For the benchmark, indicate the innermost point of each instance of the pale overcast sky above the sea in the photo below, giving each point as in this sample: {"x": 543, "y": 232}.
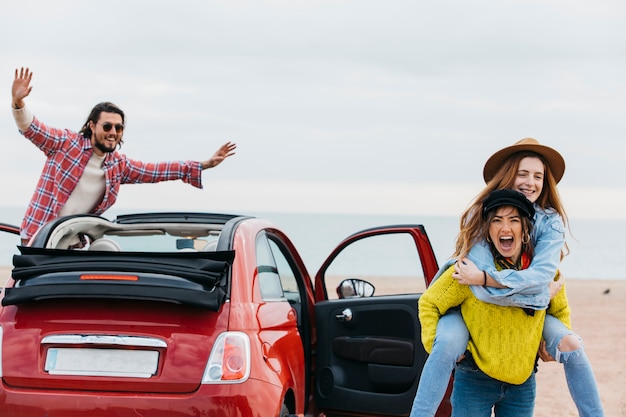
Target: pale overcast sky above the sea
{"x": 336, "y": 106}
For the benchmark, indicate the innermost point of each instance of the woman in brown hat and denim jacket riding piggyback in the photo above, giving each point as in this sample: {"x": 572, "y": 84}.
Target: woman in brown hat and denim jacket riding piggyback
{"x": 535, "y": 170}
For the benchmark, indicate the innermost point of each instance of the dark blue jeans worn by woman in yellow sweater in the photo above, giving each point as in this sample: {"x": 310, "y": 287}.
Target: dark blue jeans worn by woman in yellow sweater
{"x": 476, "y": 394}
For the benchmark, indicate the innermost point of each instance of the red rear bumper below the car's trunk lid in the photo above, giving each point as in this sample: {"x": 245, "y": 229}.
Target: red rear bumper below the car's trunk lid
{"x": 252, "y": 397}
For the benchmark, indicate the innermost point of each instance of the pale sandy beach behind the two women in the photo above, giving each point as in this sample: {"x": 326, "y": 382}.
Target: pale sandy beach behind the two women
{"x": 599, "y": 317}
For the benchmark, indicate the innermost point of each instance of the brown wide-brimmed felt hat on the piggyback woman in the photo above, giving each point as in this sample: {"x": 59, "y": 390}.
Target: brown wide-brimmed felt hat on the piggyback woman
{"x": 554, "y": 159}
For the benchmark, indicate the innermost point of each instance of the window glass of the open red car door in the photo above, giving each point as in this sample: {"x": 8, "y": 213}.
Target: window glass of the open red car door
{"x": 390, "y": 262}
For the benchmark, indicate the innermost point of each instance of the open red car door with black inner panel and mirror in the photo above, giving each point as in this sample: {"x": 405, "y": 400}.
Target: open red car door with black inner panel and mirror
{"x": 369, "y": 352}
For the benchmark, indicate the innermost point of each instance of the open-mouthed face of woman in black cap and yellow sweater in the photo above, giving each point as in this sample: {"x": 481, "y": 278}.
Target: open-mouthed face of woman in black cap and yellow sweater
{"x": 505, "y": 231}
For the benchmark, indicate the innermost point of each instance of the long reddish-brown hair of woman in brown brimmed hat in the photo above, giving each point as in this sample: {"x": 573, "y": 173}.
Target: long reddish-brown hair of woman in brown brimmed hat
{"x": 470, "y": 225}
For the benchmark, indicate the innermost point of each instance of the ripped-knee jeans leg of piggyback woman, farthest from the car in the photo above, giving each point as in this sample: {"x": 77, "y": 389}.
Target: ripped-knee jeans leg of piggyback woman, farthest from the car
{"x": 578, "y": 373}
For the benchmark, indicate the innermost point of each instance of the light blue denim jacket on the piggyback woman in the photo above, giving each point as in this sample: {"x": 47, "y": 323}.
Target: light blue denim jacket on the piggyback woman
{"x": 527, "y": 288}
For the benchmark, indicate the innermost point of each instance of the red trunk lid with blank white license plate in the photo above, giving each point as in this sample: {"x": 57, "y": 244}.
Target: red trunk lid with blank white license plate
{"x": 108, "y": 345}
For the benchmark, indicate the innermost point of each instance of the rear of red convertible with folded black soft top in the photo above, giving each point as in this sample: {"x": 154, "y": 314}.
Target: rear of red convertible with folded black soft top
{"x": 101, "y": 333}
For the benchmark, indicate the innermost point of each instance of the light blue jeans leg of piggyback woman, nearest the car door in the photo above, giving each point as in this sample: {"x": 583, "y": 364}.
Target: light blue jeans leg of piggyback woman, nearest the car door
{"x": 450, "y": 343}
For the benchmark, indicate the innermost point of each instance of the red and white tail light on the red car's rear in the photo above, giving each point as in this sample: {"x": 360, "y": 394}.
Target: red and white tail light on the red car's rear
{"x": 230, "y": 359}
